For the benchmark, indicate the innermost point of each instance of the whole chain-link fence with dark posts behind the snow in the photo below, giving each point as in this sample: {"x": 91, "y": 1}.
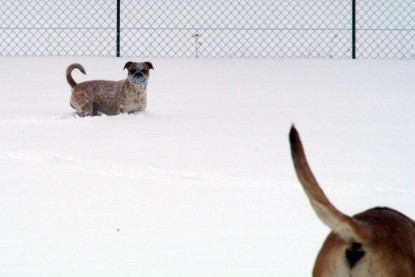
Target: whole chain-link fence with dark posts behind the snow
{"x": 208, "y": 29}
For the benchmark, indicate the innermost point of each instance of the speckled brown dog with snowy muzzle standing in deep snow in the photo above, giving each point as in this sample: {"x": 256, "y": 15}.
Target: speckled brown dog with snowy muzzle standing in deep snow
{"x": 111, "y": 97}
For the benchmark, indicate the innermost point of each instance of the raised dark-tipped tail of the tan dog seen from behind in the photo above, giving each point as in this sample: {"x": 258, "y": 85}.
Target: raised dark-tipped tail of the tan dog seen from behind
{"x": 348, "y": 228}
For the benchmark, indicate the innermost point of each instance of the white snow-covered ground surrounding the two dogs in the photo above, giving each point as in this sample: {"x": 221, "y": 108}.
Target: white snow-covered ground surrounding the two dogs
{"x": 201, "y": 184}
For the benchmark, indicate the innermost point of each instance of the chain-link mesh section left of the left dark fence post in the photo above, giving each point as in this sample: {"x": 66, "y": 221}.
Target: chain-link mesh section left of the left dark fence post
{"x": 57, "y": 28}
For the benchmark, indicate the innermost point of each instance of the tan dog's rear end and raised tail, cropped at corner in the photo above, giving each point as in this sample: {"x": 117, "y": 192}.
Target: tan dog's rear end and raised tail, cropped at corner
{"x": 377, "y": 242}
